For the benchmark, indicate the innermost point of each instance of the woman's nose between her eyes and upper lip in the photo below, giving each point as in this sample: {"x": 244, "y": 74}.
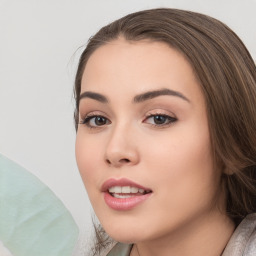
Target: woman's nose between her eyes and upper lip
{"x": 122, "y": 149}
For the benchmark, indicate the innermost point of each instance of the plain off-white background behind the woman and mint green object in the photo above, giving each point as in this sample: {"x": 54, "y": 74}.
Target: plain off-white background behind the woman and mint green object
{"x": 38, "y": 58}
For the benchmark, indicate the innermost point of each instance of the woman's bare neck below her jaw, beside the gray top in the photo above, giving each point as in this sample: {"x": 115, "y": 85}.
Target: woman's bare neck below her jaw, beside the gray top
{"x": 205, "y": 236}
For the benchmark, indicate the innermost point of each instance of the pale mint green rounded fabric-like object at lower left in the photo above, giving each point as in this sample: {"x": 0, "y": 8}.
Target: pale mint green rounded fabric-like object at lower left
{"x": 33, "y": 221}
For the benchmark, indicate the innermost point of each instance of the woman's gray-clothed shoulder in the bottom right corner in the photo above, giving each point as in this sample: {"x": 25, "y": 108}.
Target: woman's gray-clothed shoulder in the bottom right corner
{"x": 243, "y": 240}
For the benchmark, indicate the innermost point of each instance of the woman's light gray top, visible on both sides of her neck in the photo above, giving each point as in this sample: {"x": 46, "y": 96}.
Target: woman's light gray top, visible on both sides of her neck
{"x": 241, "y": 243}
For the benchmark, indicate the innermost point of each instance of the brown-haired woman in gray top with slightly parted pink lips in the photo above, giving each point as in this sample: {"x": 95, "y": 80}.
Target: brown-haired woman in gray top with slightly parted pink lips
{"x": 166, "y": 144}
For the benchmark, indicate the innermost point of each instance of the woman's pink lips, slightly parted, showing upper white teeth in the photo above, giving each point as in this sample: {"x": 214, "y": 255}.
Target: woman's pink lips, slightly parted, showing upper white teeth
{"x": 124, "y": 194}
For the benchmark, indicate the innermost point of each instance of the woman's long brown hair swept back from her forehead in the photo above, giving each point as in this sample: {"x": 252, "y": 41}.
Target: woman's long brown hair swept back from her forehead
{"x": 227, "y": 75}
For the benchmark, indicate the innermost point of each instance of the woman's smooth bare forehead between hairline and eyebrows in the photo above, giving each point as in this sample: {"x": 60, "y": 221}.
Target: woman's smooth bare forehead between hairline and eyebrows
{"x": 135, "y": 67}
